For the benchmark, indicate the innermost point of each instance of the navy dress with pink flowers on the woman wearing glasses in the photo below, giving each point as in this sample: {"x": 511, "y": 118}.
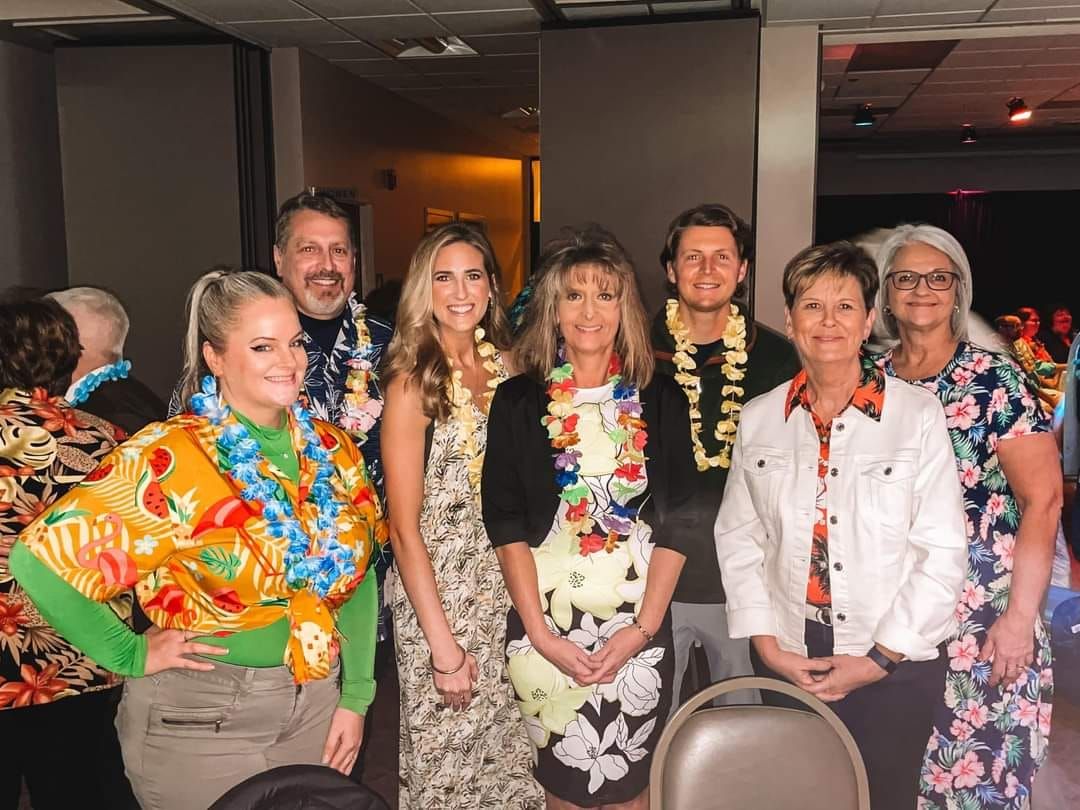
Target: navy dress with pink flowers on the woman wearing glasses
{"x": 989, "y": 742}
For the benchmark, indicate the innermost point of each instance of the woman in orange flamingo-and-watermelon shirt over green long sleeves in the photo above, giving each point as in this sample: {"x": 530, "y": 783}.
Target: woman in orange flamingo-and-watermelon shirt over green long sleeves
{"x": 246, "y": 529}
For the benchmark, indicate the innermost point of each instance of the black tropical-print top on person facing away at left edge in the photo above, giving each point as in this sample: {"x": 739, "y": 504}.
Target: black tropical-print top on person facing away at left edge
{"x": 46, "y": 449}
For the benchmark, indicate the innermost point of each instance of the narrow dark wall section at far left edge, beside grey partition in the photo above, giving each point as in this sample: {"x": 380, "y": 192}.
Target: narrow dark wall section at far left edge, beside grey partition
{"x": 32, "y": 202}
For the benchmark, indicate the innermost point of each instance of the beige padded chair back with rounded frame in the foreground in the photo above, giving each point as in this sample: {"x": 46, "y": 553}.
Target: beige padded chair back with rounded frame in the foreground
{"x": 758, "y": 757}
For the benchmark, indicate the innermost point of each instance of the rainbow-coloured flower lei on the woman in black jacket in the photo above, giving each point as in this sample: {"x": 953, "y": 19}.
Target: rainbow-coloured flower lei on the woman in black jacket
{"x": 629, "y": 437}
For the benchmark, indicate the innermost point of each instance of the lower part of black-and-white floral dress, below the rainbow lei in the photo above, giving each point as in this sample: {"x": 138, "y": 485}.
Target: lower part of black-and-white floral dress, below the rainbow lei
{"x": 593, "y": 746}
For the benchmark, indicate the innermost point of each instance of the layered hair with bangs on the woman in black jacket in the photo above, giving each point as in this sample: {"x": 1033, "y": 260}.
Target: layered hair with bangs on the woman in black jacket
{"x": 579, "y": 249}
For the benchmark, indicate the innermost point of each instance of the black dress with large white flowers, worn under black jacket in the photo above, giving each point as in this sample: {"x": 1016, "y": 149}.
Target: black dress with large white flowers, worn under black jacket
{"x": 595, "y": 745}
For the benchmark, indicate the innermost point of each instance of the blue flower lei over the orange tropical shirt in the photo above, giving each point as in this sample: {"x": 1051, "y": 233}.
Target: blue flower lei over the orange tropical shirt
{"x": 320, "y": 572}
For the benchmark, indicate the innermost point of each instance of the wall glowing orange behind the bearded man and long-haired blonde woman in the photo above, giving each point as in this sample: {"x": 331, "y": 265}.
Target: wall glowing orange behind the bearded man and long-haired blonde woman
{"x": 353, "y": 130}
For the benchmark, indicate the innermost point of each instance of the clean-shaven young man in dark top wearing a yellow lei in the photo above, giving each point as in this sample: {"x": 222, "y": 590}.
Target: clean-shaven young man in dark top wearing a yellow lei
{"x": 722, "y": 359}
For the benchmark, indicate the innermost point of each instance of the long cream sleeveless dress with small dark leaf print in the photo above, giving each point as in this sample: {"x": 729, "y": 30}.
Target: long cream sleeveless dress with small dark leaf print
{"x": 479, "y": 758}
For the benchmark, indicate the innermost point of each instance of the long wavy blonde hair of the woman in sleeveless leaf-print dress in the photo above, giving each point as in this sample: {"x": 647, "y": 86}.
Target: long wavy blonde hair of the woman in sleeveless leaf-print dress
{"x": 415, "y": 349}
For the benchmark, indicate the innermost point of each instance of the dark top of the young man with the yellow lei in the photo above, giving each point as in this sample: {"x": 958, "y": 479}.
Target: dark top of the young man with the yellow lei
{"x": 772, "y": 361}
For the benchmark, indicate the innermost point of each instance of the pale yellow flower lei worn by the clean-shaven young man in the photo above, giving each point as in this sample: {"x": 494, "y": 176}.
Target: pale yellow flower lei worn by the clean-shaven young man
{"x": 734, "y": 370}
